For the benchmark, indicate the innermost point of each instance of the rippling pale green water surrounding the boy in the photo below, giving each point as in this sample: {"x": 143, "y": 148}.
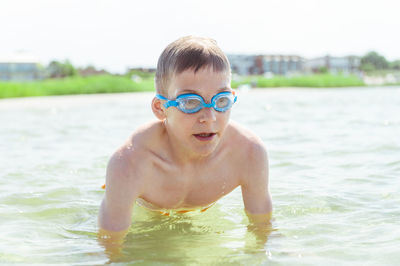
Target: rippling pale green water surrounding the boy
{"x": 334, "y": 177}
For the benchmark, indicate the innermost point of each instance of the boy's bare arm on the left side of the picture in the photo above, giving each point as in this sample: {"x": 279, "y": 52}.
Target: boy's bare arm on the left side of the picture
{"x": 121, "y": 192}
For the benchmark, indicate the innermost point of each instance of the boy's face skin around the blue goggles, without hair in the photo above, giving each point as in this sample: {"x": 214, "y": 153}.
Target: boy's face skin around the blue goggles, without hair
{"x": 197, "y": 134}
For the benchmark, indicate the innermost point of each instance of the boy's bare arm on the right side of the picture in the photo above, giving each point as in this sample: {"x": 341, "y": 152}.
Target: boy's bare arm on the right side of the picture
{"x": 255, "y": 191}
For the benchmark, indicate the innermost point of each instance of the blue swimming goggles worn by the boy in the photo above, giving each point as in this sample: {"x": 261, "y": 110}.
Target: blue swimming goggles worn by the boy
{"x": 192, "y": 103}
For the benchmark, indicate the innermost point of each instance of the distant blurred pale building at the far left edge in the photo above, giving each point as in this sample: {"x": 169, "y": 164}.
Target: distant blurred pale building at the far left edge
{"x": 19, "y": 67}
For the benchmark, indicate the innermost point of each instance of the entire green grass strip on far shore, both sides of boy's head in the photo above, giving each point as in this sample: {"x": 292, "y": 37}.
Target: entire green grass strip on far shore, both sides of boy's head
{"x": 110, "y": 84}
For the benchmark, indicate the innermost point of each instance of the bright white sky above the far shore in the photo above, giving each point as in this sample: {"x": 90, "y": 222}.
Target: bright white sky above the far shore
{"x": 117, "y": 34}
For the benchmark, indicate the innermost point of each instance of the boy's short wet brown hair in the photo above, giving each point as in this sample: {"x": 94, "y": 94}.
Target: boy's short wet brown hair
{"x": 189, "y": 53}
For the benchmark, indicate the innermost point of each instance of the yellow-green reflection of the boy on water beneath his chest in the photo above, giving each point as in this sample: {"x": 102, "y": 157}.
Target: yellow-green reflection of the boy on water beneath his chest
{"x": 189, "y": 239}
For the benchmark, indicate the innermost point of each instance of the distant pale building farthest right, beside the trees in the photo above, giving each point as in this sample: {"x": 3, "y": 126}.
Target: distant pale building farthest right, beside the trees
{"x": 346, "y": 64}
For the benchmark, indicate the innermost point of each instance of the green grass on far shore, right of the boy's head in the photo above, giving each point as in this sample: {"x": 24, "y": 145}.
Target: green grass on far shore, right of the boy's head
{"x": 311, "y": 81}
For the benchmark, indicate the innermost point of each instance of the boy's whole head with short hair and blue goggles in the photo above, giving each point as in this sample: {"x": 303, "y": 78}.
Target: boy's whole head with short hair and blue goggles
{"x": 195, "y": 67}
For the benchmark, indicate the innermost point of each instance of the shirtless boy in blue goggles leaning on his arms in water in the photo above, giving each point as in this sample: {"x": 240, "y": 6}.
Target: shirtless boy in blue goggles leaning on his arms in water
{"x": 193, "y": 155}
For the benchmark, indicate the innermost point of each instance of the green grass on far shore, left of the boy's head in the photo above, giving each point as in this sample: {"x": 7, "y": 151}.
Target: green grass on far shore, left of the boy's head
{"x": 74, "y": 85}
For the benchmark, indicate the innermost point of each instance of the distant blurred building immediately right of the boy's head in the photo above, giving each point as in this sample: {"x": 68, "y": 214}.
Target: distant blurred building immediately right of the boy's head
{"x": 264, "y": 64}
